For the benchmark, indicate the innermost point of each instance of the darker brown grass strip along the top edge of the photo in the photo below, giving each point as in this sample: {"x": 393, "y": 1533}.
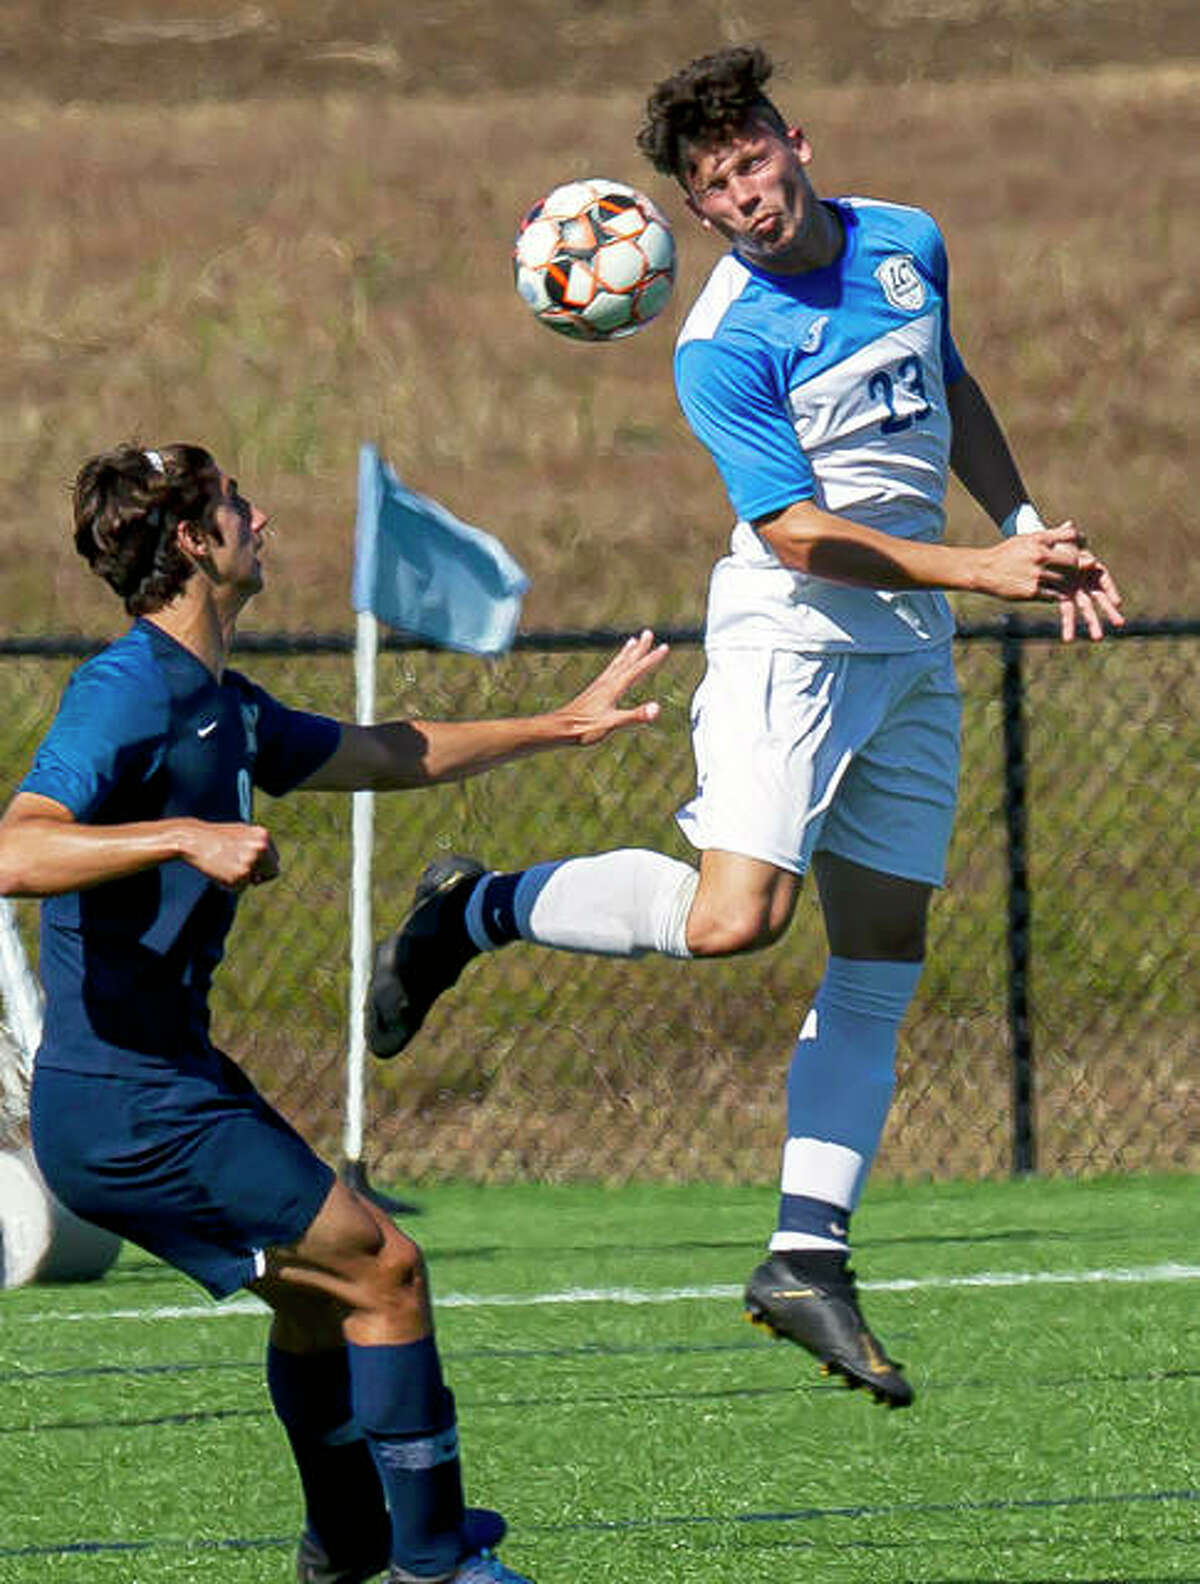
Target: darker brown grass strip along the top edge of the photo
{"x": 181, "y": 50}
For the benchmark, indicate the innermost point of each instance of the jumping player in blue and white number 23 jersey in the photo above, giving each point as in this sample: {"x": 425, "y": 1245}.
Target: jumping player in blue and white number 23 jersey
{"x": 819, "y": 368}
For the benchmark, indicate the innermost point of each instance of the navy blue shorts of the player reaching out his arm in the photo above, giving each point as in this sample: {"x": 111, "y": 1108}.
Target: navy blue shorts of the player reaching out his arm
{"x": 197, "y": 1170}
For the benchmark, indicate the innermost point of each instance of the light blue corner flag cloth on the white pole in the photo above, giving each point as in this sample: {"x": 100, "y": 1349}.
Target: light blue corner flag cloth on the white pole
{"x": 422, "y": 571}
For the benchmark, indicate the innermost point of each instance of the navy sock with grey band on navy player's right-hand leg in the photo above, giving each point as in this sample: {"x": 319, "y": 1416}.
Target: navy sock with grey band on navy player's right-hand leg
{"x": 408, "y": 1417}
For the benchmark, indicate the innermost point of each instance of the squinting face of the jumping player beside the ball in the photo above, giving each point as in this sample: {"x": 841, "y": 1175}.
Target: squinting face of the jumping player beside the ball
{"x": 753, "y": 191}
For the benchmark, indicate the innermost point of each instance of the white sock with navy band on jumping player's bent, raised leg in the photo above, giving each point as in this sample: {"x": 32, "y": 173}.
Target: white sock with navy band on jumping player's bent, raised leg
{"x": 620, "y": 904}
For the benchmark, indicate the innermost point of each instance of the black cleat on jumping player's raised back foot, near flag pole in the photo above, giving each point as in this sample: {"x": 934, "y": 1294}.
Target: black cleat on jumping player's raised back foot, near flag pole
{"x": 423, "y": 958}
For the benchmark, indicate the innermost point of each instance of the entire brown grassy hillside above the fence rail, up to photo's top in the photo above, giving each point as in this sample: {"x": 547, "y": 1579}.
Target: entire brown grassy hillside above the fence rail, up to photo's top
{"x": 284, "y": 229}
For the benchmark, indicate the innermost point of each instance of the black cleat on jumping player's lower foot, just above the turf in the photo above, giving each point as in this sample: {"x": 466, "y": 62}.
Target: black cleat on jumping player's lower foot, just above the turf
{"x": 810, "y": 1297}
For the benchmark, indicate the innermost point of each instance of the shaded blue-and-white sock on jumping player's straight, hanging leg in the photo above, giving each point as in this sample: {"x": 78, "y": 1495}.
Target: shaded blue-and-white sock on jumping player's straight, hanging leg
{"x": 838, "y": 1097}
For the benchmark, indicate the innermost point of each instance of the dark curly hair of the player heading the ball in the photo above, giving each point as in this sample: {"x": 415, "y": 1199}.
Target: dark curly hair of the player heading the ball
{"x": 713, "y": 97}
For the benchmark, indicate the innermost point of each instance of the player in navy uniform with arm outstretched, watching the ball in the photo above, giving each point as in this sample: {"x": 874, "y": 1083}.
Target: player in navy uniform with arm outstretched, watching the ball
{"x": 137, "y": 826}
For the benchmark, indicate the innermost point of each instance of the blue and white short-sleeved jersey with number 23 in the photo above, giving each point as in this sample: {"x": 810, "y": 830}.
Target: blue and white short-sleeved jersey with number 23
{"x": 827, "y": 387}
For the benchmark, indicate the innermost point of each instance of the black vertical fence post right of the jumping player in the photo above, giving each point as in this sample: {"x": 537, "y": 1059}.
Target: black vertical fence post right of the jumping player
{"x": 1016, "y": 817}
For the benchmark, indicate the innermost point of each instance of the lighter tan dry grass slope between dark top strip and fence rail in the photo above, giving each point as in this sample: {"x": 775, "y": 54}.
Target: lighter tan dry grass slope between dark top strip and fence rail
{"x": 287, "y": 278}
